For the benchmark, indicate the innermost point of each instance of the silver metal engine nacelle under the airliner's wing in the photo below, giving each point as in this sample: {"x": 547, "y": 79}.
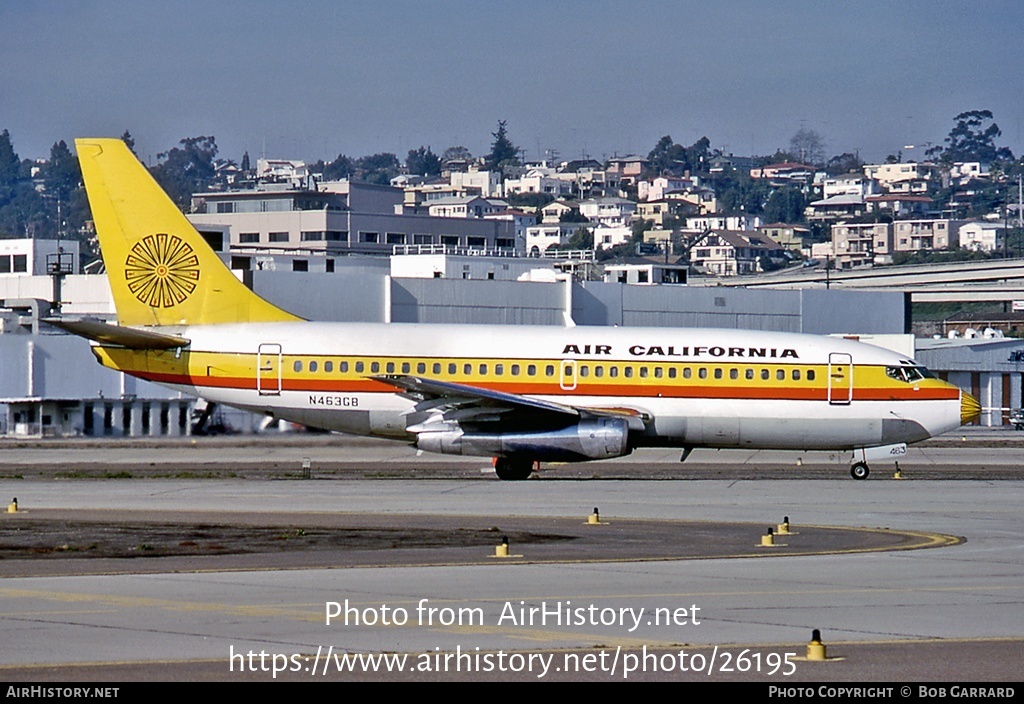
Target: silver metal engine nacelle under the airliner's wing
{"x": 596, "y": 438}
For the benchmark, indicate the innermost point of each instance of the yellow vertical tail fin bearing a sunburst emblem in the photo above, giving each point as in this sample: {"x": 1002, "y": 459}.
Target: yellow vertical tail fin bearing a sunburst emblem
{"x": 161, "y": 271}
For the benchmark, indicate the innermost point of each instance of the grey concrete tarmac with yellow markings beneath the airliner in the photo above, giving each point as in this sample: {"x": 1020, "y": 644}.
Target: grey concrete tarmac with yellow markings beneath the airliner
{"x": 601, "y": 610}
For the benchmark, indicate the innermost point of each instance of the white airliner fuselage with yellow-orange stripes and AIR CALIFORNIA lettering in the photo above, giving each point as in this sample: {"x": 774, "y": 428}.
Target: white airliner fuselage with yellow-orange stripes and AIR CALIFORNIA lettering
{"x": 696, "y": 387}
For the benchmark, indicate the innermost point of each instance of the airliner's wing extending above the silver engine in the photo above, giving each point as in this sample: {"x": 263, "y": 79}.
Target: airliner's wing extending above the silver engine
{"x": 471, "y": 405}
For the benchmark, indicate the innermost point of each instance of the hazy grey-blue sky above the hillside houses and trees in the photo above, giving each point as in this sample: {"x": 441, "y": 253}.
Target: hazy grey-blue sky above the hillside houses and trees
{"x": 311, "y": 80}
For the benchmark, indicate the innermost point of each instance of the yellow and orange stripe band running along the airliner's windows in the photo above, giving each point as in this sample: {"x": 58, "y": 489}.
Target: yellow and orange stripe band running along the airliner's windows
{"x": 519, "y": 376}
